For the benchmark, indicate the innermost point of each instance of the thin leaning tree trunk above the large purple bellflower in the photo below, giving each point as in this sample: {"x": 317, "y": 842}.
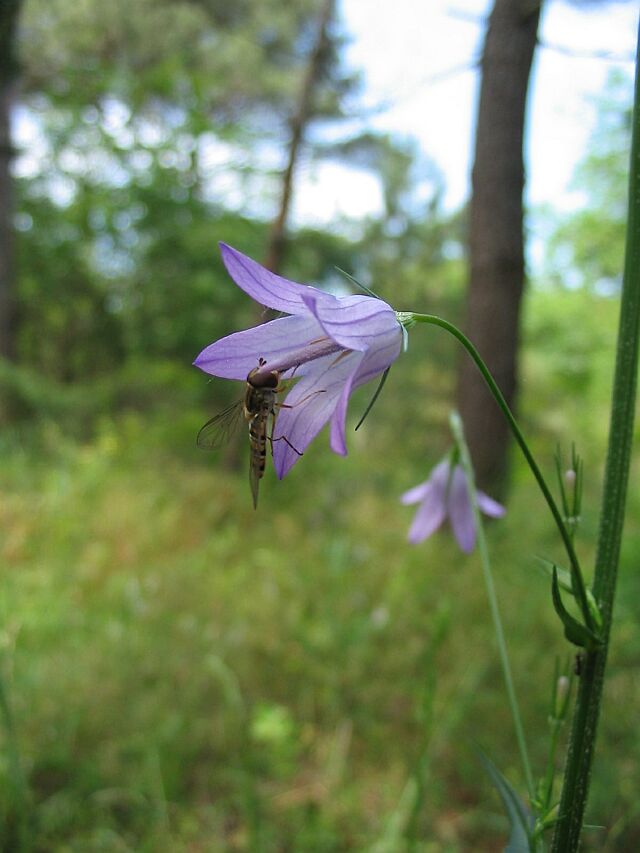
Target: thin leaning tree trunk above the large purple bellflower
{"x": 299, "y": 121}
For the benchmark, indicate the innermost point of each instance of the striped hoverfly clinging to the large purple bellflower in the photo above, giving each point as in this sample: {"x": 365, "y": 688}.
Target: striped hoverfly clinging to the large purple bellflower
{"x": 260, "y": 403}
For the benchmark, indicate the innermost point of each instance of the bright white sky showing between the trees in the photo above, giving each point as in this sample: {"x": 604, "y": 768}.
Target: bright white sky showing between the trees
{"x": 417, "y": 57}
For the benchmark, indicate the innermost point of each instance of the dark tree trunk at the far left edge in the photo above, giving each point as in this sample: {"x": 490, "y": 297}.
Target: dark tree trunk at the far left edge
{"x": 8, "y": 74}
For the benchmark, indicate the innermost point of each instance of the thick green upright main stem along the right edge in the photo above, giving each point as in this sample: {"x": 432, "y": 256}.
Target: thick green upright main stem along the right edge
{"x": 583, "y": 732}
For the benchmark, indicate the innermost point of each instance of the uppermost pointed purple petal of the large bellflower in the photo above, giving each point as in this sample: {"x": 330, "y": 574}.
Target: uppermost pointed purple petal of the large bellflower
{"x": 266, "y": 287}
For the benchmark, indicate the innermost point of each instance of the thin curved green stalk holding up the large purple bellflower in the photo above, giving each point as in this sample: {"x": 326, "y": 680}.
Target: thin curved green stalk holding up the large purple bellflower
{"x": 576, "y": 573}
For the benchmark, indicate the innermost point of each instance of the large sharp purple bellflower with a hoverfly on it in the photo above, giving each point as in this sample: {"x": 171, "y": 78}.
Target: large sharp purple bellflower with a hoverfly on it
{"x": 331, "y": 344}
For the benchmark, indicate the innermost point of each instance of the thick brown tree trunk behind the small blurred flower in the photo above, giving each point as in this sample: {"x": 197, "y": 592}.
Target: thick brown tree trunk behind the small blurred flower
{"x": 496, "y": 242}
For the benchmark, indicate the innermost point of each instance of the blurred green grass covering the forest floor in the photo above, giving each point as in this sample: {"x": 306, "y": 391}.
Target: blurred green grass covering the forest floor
{"x": 187, "y": 674}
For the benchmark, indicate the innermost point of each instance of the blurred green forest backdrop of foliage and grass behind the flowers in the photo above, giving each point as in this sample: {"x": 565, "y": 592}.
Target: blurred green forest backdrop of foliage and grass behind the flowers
{"x": 186, "y": 673}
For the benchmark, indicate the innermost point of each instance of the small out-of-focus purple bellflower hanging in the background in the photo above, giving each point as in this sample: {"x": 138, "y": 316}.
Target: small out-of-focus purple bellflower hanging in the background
{"x": 446, "y": 494}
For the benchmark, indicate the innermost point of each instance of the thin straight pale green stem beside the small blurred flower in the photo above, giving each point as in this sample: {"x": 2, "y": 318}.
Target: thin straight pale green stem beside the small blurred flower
{"x": 465, "y": 460}
